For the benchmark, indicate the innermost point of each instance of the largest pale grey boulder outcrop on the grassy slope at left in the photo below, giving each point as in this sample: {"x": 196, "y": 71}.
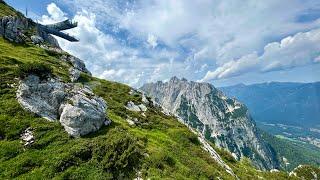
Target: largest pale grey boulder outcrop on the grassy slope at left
{"x": 76, "y": 107}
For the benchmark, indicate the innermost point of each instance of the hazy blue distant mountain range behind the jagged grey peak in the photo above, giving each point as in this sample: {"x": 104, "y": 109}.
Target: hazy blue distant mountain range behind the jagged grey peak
{"x": 295, "y": 104}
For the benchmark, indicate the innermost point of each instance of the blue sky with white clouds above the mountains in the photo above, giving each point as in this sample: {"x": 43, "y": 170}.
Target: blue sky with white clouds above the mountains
{"x": 224, "y": 42}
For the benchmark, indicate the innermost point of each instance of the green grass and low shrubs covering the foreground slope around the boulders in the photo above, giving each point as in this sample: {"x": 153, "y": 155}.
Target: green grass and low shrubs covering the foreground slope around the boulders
{"x": 158, "y": 146}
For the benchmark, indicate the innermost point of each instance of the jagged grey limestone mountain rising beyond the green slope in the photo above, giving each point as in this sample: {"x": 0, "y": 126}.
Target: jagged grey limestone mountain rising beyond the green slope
{"x": 224, "y": 121}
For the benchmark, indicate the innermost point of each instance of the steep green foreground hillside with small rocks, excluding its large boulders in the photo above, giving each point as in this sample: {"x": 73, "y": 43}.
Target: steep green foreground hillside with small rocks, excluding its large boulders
{"x": 142, "y": 143}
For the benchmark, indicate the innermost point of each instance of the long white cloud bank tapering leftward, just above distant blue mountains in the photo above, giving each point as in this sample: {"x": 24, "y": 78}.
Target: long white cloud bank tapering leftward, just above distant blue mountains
{"x": 292, "y": 51}
